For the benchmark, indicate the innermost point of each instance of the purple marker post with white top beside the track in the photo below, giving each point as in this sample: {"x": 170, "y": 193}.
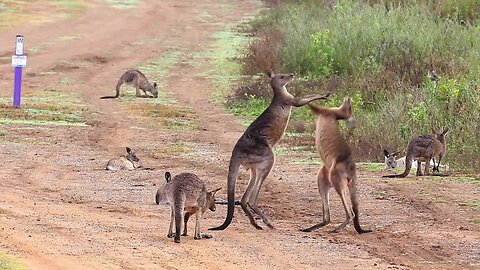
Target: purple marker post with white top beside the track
{"x": 19, "y": 61}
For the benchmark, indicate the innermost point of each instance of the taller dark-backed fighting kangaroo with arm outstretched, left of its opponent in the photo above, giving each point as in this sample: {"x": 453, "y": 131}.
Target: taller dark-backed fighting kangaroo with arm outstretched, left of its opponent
{"x": 254, "y": 148}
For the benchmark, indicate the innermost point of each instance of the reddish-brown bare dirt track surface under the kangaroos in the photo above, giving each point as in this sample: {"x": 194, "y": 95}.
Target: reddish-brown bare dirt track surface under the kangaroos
{"x": 60, "y": 210}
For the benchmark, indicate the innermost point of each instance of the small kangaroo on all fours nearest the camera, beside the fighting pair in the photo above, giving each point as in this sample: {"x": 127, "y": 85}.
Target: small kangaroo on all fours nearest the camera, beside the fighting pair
{"x": 185, "y": 193}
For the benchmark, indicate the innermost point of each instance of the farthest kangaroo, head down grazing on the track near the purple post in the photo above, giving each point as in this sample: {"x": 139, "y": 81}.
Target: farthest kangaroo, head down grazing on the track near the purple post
{"x": 136, "y": 78}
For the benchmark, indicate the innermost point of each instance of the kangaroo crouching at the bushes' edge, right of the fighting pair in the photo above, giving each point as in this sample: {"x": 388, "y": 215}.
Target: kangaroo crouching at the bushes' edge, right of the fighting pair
{"x": 424, "y": 148}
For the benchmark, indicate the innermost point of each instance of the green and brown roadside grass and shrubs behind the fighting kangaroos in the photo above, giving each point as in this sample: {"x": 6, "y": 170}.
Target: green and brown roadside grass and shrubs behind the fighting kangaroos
{"x": 380, "y": 53}
